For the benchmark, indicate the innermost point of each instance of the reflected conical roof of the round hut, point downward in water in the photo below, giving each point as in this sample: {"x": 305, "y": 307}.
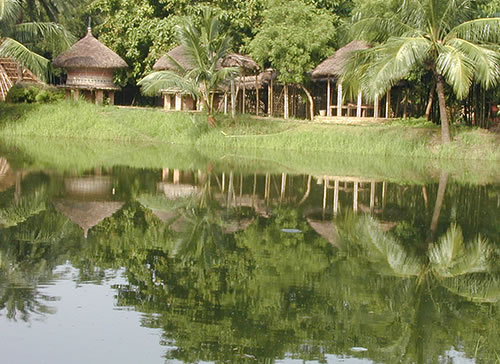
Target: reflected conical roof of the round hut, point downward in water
{"x": 87, "y": 214}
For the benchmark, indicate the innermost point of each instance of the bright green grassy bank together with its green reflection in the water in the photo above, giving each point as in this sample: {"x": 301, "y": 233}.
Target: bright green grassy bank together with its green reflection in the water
{"x": 80, "y": 135}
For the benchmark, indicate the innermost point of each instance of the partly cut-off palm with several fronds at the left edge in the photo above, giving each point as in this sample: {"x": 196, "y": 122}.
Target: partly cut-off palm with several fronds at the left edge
{"x": 18, "y": 40}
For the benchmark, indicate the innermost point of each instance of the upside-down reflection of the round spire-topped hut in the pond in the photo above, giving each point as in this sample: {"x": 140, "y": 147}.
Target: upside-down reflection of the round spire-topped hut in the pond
{"x": 89, "y": 201}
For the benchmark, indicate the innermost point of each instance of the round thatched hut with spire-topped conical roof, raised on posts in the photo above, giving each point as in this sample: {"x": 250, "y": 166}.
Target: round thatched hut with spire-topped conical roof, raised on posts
{"x": 90, "y": 65}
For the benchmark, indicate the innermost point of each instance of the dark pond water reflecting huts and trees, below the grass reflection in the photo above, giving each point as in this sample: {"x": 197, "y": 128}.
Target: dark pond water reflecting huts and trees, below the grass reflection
{"x": 118, "y": 264}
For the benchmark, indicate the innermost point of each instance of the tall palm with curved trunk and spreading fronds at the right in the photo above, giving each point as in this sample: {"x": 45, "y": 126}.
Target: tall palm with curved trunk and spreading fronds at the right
{"x": 440, "y": 35}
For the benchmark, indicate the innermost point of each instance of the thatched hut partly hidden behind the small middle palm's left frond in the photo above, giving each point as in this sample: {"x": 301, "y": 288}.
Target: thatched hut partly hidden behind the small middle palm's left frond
{"x": 176, "y": 61}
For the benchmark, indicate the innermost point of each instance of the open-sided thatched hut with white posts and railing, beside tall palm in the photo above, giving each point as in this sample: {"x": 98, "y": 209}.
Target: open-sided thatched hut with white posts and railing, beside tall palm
{"x": 332, "y": 68}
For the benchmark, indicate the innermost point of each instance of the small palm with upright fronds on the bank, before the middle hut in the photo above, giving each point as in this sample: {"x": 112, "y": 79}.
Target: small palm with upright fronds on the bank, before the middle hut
{"x": 205, "y": 46}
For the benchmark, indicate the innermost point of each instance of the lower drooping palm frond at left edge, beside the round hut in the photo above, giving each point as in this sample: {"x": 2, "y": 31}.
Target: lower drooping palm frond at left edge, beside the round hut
{"x": 34, "y": 62}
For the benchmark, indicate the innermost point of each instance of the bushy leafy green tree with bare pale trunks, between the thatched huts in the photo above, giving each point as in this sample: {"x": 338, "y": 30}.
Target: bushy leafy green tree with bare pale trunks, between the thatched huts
{"x": 293, "y": 38}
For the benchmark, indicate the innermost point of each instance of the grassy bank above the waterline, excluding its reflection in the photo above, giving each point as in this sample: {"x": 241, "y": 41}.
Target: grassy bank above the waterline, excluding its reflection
{"x": 79, "y": 122}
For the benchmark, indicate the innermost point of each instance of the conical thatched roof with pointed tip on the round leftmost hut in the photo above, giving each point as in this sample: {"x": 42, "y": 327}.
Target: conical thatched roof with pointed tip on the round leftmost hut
{"x": 88, "y": 52}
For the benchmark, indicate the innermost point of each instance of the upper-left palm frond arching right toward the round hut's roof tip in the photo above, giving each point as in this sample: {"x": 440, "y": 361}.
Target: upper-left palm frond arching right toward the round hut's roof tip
{"x": 55, "y": 36}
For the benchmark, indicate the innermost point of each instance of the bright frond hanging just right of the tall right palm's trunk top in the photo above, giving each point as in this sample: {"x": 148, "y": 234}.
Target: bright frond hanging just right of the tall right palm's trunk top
{"x": 457, "y": 69}
